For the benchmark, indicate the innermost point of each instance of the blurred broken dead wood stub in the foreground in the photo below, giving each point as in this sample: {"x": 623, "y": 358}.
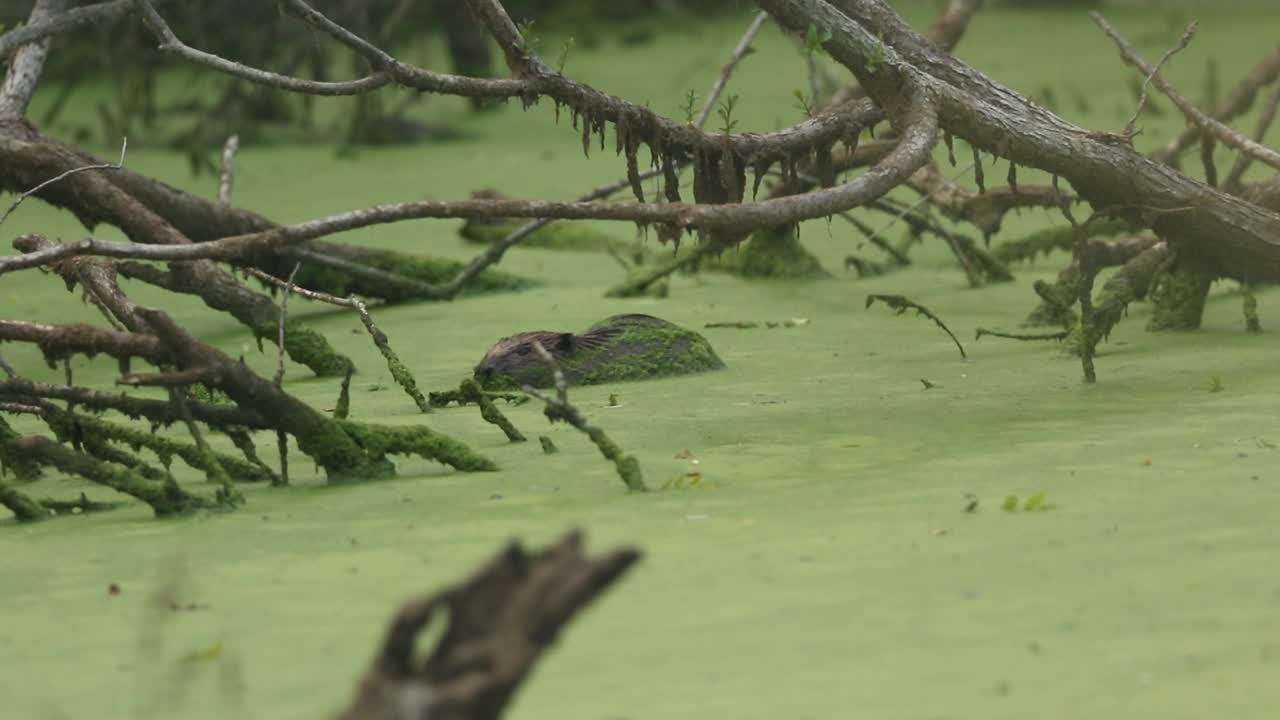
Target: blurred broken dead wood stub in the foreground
{"x": 501, "y": 622}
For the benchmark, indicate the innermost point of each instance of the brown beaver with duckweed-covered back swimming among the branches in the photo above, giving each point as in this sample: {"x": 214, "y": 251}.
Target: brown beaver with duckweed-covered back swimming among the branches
{"x": 623, "y": 348}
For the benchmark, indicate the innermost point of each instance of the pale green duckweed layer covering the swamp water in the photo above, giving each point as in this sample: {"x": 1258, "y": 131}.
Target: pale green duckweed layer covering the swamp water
{"x": 825, "y": 568}
